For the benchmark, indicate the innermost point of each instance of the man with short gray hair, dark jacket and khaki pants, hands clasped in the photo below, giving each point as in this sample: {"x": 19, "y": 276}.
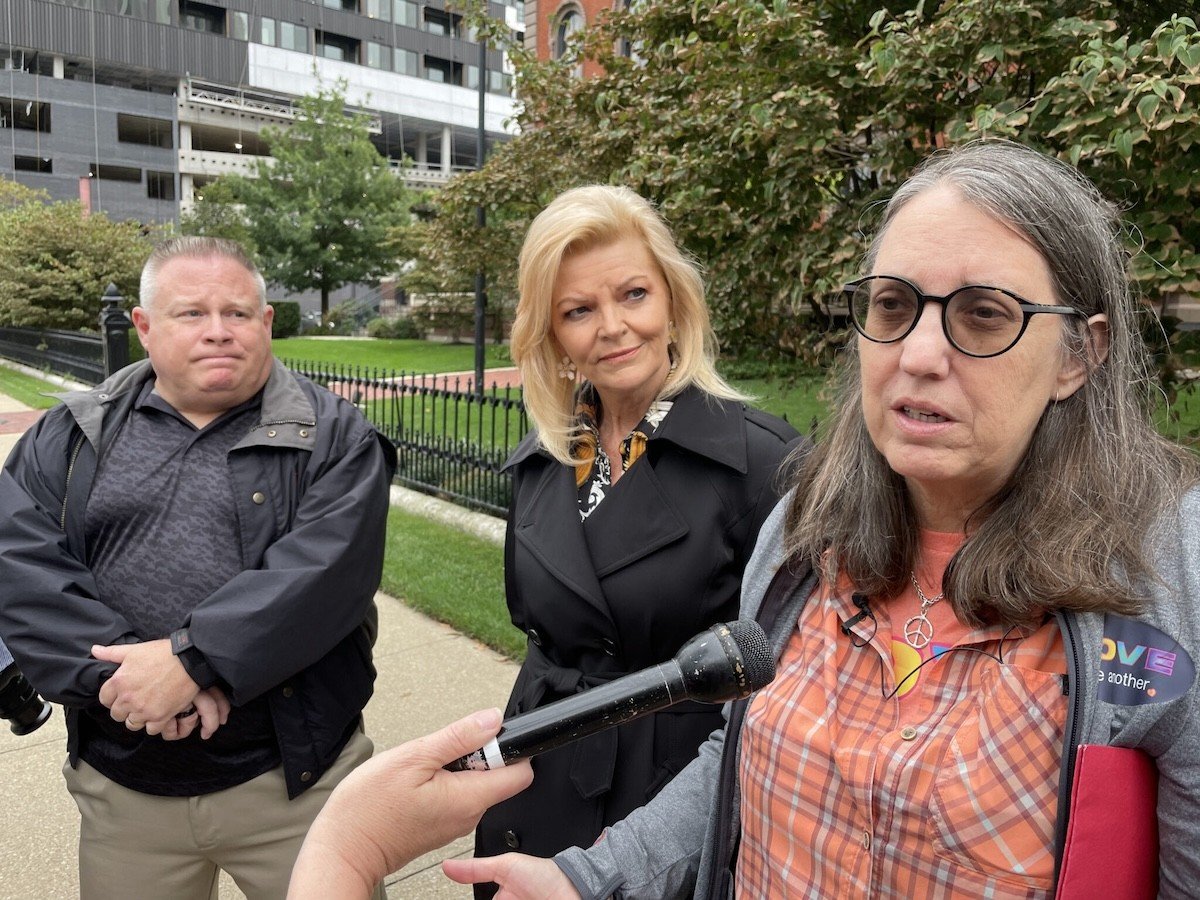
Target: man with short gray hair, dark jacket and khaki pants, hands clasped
{"x": 189, "y": 555}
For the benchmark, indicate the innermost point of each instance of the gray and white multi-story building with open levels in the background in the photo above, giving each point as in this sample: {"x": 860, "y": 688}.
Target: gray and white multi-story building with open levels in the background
{"x": 133, "y": 106}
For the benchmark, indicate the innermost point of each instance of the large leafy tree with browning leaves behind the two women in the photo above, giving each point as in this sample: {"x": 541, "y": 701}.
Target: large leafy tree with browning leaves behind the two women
{"x": 769, "y": 130}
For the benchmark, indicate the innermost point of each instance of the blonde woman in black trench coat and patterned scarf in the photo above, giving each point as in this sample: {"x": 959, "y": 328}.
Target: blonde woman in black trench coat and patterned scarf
{"x": 637, "y": 502}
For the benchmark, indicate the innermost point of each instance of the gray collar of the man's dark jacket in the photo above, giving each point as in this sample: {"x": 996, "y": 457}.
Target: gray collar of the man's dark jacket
{"x": 287, "y": 417}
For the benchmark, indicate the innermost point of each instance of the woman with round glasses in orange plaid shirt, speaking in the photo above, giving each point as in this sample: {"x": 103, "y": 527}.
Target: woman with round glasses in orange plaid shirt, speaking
{"x": 982, "y": 592}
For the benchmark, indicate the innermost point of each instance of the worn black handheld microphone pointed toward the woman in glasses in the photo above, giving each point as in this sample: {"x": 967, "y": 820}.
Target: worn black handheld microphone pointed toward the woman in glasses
{"x": 728, "y": 662}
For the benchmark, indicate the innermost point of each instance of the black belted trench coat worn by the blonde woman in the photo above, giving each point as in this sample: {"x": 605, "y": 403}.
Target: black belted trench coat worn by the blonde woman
{"x": 658, "y": 562}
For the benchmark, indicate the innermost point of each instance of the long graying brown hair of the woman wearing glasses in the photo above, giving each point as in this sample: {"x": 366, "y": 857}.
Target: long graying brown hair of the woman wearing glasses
{"x": 1070, "y": 529}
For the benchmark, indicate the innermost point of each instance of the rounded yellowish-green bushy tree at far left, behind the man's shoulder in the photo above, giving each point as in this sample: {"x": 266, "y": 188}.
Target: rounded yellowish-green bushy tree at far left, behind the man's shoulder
{"x": 58, "y": 261}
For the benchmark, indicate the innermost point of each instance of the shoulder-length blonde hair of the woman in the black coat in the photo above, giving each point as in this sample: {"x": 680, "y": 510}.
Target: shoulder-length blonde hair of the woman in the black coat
{"x": 580, "y": 220}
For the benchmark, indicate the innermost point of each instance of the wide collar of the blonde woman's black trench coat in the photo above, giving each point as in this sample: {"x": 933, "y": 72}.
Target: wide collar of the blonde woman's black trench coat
{"x": 699, "y": 423}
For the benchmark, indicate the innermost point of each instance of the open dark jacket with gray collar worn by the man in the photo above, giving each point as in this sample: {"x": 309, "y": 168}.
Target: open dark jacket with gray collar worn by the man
{"x": 311, "y": 489}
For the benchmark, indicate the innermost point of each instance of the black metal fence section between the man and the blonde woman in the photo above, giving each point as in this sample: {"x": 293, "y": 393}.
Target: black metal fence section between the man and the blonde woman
{"x": 451, "y": 440}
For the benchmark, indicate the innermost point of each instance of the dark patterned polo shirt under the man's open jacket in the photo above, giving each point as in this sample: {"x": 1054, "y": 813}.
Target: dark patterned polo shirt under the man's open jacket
{"x": 161, "y": 536}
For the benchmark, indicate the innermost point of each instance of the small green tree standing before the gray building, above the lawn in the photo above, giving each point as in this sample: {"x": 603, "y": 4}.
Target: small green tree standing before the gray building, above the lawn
{"x": 319, "y": 212}
